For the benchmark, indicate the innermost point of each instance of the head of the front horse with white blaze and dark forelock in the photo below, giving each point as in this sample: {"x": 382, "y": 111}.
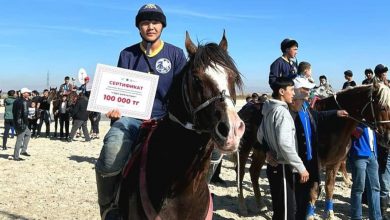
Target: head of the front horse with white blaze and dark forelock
{"x": 208, "y": 88}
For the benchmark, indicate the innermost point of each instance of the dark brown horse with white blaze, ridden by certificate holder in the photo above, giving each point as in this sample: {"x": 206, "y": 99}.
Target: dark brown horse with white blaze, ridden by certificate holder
{"x": 201, "y": 108}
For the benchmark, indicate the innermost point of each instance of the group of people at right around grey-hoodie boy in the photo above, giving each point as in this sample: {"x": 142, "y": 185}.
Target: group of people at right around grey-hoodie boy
{"x": 292, "y": 155}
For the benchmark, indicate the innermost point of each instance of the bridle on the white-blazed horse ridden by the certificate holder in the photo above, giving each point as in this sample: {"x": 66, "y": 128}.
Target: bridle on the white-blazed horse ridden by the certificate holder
{"x": 191, "y": 110}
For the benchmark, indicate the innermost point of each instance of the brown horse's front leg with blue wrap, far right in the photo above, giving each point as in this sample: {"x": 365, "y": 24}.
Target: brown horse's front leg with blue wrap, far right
{"x": 331, "y": 171}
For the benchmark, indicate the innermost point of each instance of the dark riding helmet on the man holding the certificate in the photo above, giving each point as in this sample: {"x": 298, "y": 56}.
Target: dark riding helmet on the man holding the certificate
{"x": 150, "y": 12}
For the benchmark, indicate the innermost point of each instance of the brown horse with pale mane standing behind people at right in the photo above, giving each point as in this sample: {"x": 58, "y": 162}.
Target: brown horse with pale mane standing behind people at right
{"x": 368, "y": 104}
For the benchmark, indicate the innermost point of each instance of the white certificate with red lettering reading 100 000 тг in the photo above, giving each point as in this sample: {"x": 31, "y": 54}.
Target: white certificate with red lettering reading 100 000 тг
{"x": 130, "y": 91}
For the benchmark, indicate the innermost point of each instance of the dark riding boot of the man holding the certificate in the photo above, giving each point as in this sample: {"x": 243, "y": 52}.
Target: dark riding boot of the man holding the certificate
{"x": 107, "y": 189}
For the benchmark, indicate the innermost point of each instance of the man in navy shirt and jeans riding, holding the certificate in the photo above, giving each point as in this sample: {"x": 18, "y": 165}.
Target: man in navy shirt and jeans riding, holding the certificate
{"x": 151, "y": 55}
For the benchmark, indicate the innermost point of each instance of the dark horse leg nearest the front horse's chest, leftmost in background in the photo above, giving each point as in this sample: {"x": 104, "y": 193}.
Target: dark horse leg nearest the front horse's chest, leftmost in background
{"x": 243, "y": 157}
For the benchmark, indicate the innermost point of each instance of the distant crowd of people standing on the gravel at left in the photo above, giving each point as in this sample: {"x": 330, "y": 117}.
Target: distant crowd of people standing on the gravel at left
{"x": 27, "y": 111}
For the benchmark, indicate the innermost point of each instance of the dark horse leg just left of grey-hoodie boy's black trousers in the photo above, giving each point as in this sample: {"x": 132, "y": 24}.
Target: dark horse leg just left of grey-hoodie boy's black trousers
{"x": 258, "y": 160}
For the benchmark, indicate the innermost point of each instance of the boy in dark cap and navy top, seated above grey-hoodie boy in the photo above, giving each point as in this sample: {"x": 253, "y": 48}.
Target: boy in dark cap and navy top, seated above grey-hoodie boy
{"x": 285, "y": 65}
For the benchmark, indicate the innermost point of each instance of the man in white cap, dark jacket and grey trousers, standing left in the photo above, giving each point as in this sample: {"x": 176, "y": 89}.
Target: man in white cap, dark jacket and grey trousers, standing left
{"x": 20, "y": 112}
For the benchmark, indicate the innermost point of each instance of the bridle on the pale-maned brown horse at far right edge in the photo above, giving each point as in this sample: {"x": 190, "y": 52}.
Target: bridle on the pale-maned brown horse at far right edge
{"x": 372, "y": 125}
